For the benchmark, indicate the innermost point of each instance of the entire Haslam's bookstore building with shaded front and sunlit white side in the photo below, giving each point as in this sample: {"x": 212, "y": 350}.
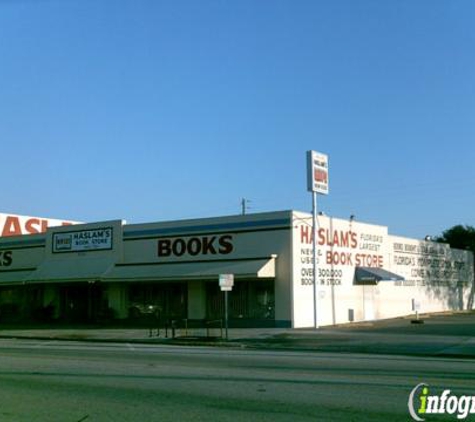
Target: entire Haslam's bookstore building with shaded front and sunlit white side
{"x": 112, "y": 272}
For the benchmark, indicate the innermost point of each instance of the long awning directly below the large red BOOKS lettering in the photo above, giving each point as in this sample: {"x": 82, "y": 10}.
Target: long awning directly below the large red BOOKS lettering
{"x": 253, "y": 268}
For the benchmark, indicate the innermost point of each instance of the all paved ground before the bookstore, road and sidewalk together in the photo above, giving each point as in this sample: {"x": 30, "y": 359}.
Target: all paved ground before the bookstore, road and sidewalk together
{"x": 353, "y": 372}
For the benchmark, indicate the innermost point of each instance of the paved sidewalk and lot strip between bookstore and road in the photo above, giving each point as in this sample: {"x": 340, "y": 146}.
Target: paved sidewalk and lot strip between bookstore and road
{"x": 439, "y": 335}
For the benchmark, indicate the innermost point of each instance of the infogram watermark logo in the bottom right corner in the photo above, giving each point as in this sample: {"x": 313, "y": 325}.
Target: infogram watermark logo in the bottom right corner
{"x": 422, "y": 404}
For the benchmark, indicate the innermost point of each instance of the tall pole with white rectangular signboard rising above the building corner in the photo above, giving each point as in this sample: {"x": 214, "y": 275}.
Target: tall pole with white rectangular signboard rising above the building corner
{"x": 317, "y": 183}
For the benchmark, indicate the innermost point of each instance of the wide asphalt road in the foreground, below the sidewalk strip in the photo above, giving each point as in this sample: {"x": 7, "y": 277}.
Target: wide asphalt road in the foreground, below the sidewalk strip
{"x": 74, "y": 381}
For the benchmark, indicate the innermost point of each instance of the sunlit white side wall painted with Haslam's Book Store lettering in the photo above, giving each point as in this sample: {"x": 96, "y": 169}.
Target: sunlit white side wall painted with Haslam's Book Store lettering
{"x": 437, "y": 277}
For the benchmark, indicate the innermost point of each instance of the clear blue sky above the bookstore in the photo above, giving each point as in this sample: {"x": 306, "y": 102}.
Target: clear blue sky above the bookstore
{"x": 152, "y": 110}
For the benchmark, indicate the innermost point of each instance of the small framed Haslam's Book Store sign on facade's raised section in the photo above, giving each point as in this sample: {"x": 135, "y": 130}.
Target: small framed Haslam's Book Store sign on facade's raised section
{"x": 84, "y": 240}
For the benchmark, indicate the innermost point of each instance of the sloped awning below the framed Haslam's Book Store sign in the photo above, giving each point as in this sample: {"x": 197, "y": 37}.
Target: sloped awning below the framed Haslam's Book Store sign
{"x": 71, "y": 270}
